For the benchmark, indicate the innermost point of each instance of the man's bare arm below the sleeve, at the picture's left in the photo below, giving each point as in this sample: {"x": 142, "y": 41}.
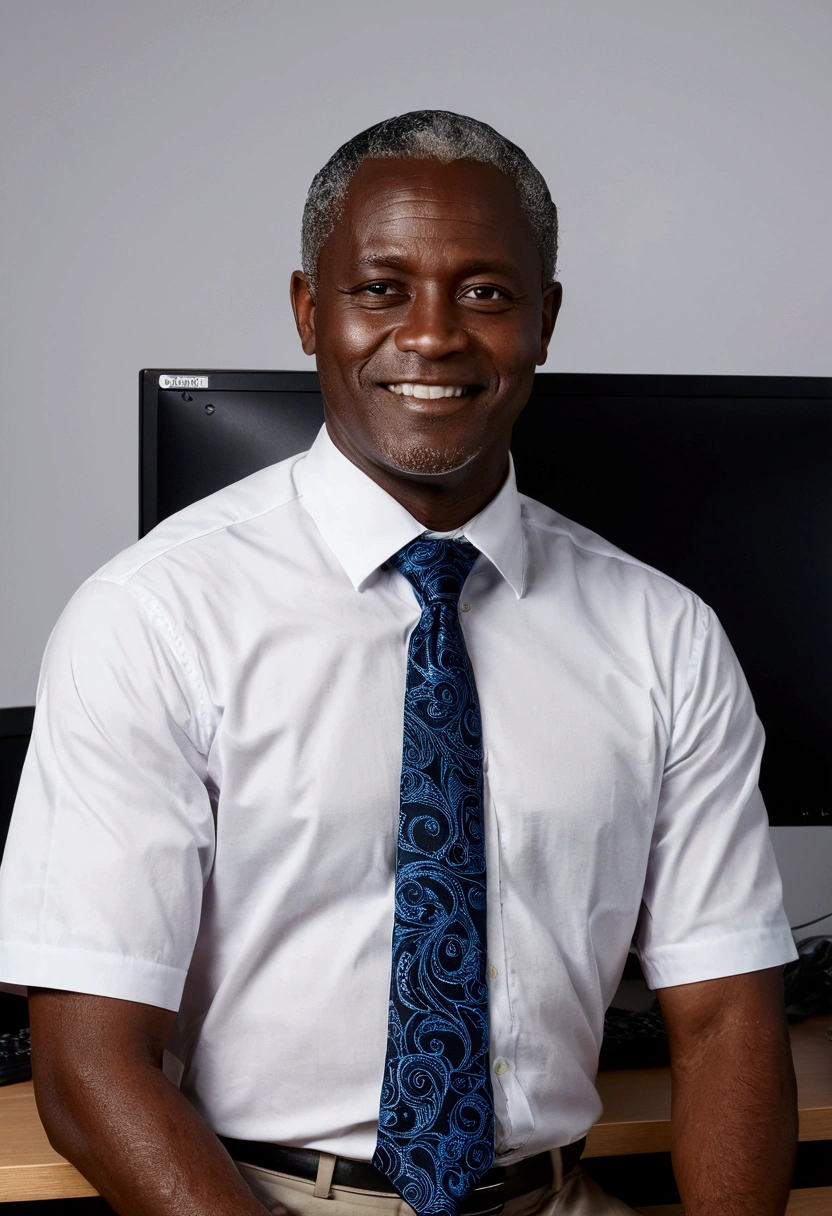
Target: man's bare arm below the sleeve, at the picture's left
{"x": 109, "y": 1108}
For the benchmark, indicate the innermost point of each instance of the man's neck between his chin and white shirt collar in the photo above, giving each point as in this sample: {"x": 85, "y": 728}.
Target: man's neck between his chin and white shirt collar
{"x": 441, "y": 502}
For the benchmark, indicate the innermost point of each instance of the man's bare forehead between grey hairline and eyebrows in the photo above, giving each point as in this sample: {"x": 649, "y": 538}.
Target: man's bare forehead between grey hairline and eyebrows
{"x": 423, "y": 210}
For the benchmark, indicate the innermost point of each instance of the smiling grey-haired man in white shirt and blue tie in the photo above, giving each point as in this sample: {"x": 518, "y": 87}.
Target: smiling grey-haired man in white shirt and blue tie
{"x": 373, "y": 948}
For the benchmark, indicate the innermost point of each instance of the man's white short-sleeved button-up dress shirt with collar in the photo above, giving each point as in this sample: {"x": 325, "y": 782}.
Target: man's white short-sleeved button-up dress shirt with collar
{"x": 207, "y": 817}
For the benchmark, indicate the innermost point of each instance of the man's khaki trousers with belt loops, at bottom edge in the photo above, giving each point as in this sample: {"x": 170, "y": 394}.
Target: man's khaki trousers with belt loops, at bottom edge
{"x": 285, "y": 1196}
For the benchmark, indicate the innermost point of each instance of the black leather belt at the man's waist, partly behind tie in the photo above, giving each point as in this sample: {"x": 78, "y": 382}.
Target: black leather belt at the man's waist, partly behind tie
{"x": 496, "y": 1189}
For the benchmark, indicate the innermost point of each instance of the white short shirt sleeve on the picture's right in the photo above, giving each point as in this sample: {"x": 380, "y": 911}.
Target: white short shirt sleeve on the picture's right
{"x": 712, "y": 904}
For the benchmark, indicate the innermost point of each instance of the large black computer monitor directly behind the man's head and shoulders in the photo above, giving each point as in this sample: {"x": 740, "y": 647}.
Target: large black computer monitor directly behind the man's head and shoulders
{"x": 724, "y": 483}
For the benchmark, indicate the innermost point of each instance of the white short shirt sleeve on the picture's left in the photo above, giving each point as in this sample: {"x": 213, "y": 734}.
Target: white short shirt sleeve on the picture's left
{"x": 113, "y": 836}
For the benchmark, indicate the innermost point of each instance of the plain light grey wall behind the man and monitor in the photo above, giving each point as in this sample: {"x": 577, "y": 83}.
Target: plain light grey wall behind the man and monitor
{"x": 156, "y": 160}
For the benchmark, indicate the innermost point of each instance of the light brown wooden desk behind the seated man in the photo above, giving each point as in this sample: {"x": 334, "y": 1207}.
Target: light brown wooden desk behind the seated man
{"x": 637, "y": 1119}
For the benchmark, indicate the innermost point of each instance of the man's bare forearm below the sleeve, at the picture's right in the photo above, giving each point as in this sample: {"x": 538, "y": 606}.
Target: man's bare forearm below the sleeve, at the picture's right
{"x": 734, "y": 1108}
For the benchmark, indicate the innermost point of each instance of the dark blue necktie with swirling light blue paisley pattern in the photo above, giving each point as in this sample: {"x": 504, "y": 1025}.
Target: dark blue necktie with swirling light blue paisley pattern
{"x": 436, "y": 1127}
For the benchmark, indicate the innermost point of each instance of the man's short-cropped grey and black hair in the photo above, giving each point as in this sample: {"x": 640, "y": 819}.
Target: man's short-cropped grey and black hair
{"x": 426, "y": 136}
